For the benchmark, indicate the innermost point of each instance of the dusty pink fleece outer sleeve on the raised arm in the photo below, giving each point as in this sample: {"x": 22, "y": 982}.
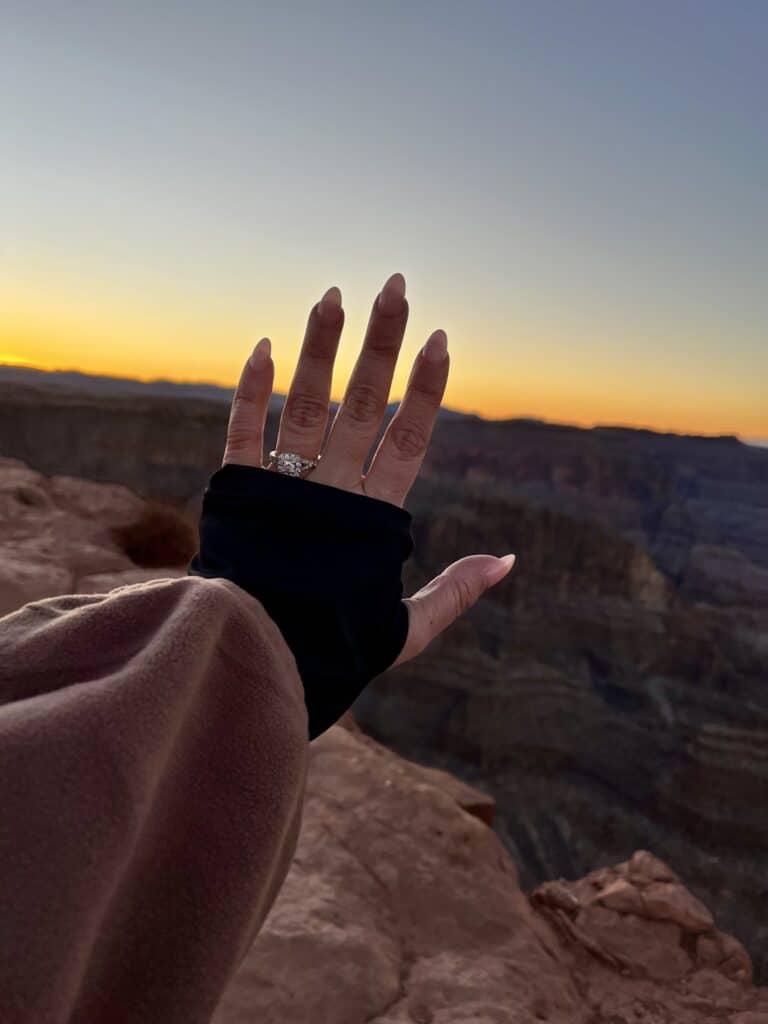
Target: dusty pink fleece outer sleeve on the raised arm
{"x": 153, "y": 761}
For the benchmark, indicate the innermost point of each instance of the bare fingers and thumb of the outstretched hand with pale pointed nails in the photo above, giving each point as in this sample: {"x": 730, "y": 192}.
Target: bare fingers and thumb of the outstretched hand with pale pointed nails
{"x": 401, "y": 453}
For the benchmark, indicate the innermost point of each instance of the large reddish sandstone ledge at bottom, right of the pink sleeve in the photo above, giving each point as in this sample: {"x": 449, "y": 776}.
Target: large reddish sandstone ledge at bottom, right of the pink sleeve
{"x": 401, "y": 908}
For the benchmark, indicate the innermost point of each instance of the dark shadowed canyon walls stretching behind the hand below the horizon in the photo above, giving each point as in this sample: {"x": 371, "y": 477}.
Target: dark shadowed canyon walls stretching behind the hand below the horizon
{"x": 610, "y": 697}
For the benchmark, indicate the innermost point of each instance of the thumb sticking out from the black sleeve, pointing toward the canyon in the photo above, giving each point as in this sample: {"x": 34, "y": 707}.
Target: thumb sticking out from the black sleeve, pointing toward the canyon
{"x": 444, "y": 600}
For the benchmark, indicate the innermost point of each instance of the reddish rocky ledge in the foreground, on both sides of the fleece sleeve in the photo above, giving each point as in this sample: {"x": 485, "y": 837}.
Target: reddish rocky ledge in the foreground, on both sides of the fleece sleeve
{"x": 402, "y": 905}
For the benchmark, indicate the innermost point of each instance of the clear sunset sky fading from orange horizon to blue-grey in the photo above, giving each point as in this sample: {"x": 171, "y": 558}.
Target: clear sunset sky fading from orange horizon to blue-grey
{"x": 577, "y": 192}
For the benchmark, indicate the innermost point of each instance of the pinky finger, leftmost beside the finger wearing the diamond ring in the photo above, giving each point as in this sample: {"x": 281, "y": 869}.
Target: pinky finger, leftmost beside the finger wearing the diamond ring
{"x": 245, "y": 434}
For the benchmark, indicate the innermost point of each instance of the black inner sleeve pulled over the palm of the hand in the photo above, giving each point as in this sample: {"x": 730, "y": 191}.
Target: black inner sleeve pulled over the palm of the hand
{"x": 325, "y": 563}
